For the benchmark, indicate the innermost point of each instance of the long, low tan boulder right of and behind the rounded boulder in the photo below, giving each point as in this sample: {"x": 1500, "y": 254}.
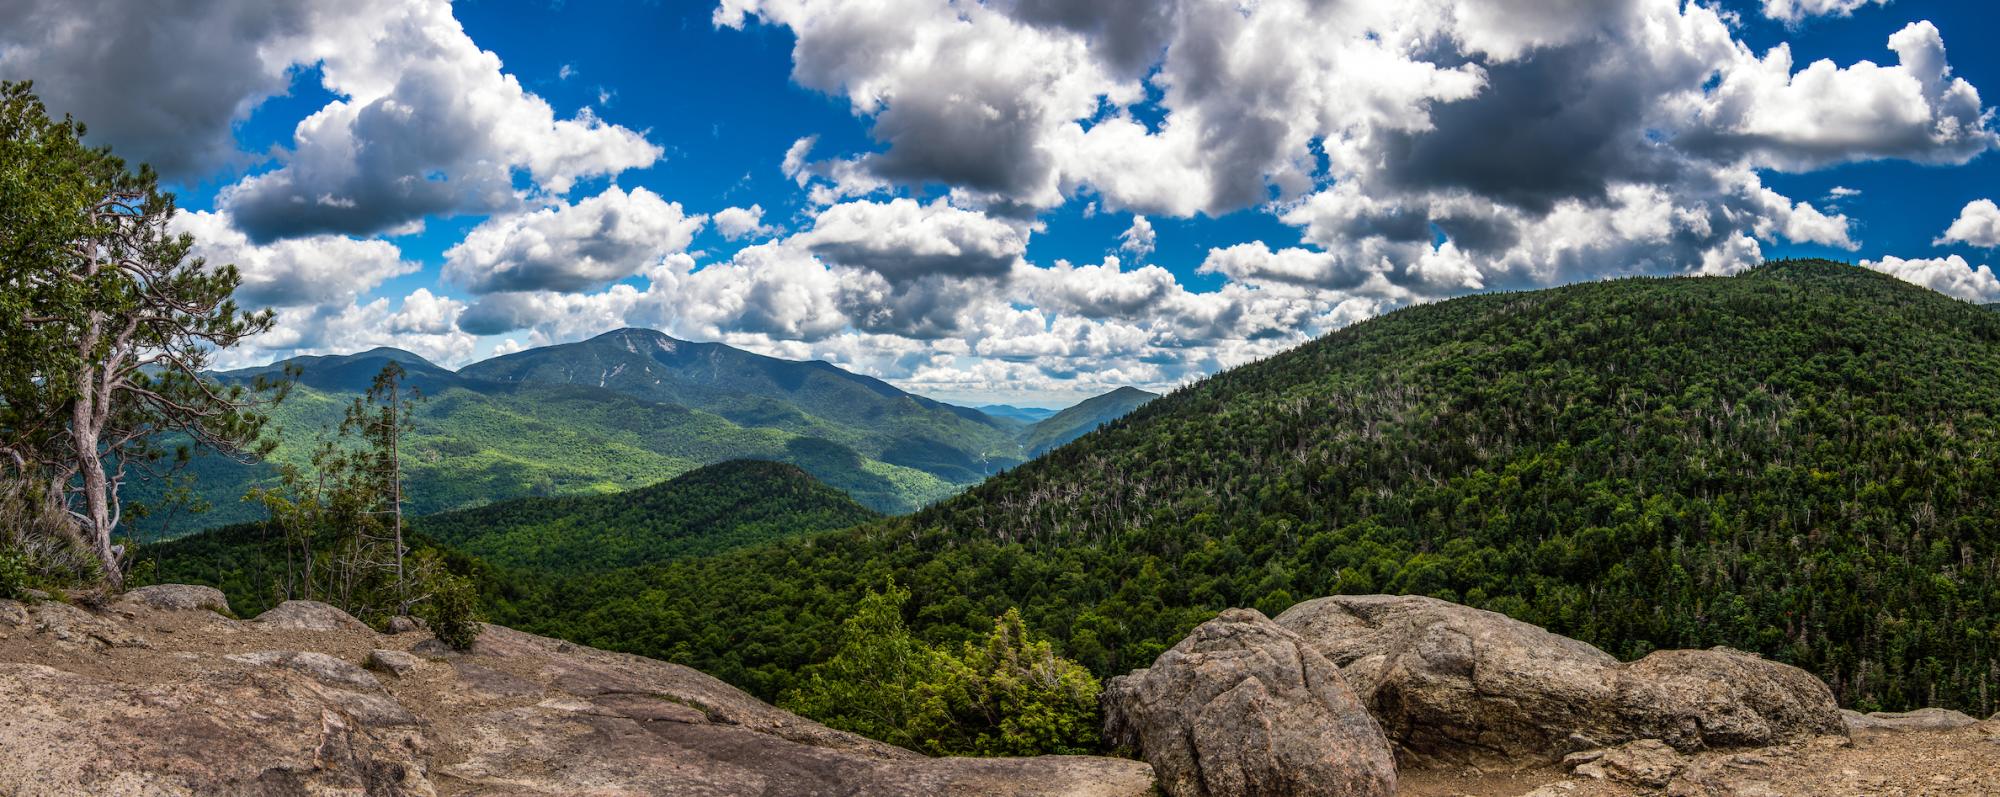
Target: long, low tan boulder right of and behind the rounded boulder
{"x": 1459, "y": 684}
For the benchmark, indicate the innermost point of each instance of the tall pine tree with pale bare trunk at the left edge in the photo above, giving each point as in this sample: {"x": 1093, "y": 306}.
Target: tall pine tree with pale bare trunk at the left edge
{"x": 109, "y": 325}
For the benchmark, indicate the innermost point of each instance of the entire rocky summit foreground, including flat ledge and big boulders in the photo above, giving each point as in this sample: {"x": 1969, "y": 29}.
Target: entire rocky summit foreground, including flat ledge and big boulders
{"x": 163, "y": 694}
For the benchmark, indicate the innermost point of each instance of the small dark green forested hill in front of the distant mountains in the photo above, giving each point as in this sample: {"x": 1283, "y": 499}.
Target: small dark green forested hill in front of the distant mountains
{"x": 699, "y": 514}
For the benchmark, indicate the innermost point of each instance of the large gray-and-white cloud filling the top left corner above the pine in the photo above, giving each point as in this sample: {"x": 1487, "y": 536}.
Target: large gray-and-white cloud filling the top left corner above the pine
{"x": 425, "y": 121}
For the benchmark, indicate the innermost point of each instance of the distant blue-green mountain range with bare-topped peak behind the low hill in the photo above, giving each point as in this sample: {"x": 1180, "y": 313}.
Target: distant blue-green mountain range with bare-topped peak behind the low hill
{"x": 631, "y": 410}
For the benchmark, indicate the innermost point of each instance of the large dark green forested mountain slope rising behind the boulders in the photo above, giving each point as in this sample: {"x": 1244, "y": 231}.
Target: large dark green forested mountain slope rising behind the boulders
{"x": 1799, "y": 462}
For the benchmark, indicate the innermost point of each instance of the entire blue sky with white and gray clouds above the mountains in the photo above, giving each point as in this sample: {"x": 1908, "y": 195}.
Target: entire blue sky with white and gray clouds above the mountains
{"x": 1017, "y": 201}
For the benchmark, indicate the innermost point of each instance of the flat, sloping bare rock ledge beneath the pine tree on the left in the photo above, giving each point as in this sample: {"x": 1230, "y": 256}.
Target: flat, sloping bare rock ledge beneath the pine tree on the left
{"x": 165, "y": 696}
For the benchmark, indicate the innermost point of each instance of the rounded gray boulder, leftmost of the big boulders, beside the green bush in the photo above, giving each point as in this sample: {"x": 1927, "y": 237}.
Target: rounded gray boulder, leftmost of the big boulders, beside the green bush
{"x": 1245, "y": 708}
